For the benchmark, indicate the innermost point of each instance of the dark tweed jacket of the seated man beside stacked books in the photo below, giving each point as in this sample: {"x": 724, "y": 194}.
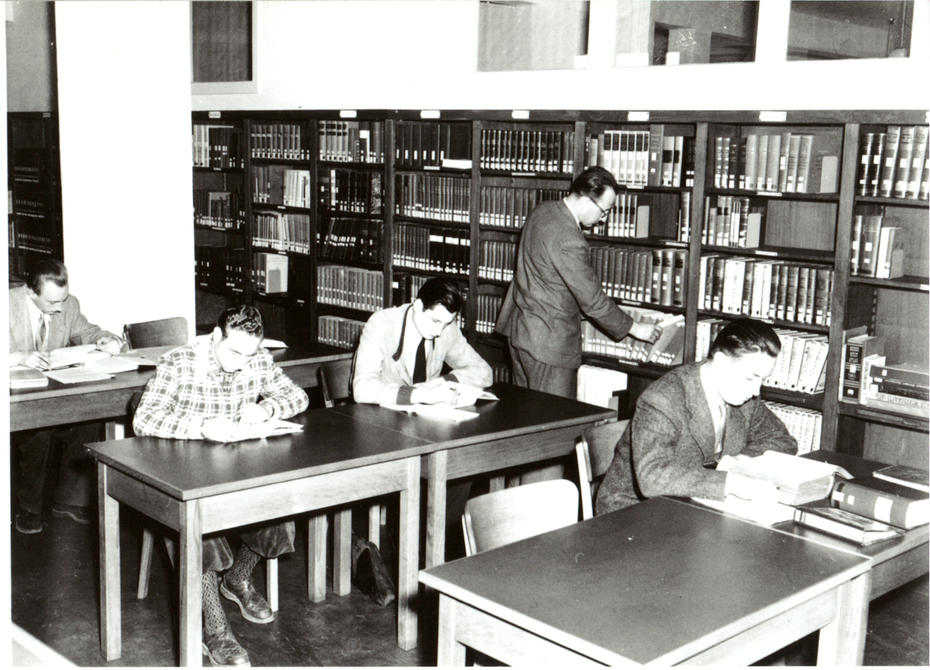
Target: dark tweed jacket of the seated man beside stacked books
{"x": 671, "y": 437}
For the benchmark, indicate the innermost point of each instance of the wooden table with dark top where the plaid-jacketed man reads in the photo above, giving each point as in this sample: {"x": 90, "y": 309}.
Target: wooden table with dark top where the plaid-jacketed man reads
{"x": 197, "y": 487}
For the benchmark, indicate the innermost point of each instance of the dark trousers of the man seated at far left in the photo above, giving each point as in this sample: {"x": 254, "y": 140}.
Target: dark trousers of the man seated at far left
{"x": 36, "y": 451}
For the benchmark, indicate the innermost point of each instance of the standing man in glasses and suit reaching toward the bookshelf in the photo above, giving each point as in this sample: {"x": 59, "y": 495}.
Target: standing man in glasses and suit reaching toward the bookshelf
{"x": 554, "y": 284}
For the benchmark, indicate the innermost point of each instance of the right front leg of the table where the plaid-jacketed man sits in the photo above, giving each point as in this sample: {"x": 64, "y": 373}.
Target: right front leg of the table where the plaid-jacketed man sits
{"x": 408, "y": 556}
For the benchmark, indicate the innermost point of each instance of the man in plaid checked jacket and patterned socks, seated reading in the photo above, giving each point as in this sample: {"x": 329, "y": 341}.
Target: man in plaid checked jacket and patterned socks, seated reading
{"x": 204, "y": 391}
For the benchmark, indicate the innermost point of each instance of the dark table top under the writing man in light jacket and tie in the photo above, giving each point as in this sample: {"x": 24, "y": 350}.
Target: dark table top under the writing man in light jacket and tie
{"x": 517, "y": 412}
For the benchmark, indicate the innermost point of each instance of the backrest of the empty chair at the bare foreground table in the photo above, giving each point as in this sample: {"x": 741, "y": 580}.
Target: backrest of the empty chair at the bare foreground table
{"x": 495, "y": 519}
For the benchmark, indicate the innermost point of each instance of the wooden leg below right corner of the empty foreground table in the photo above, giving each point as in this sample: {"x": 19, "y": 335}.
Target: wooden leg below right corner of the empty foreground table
{"x": 842, "y": 641}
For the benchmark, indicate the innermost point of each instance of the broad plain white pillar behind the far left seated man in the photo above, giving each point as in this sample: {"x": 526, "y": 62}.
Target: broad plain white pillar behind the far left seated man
{"x": 126, "y": 158}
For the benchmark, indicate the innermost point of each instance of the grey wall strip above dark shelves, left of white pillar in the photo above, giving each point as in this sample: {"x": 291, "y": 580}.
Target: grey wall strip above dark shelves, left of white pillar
{"x": 28, "y": 57}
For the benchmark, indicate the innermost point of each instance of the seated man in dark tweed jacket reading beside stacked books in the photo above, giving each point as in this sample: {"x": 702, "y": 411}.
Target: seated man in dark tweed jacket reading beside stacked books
{"x": 686, "y": 420}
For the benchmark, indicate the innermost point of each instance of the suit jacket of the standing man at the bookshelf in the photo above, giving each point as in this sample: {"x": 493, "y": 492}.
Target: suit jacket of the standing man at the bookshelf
{"x": 553, "y": 285}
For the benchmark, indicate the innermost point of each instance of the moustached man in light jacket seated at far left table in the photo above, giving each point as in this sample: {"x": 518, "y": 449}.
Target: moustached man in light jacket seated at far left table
{"x": 45, "y": 316}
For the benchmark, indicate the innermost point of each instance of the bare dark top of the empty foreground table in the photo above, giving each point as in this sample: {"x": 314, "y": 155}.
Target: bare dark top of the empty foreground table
{"x": 644, "y": 581}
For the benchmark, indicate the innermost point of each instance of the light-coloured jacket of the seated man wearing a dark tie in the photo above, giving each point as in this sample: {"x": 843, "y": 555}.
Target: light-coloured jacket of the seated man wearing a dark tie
{"x": 379, "y": 374}
